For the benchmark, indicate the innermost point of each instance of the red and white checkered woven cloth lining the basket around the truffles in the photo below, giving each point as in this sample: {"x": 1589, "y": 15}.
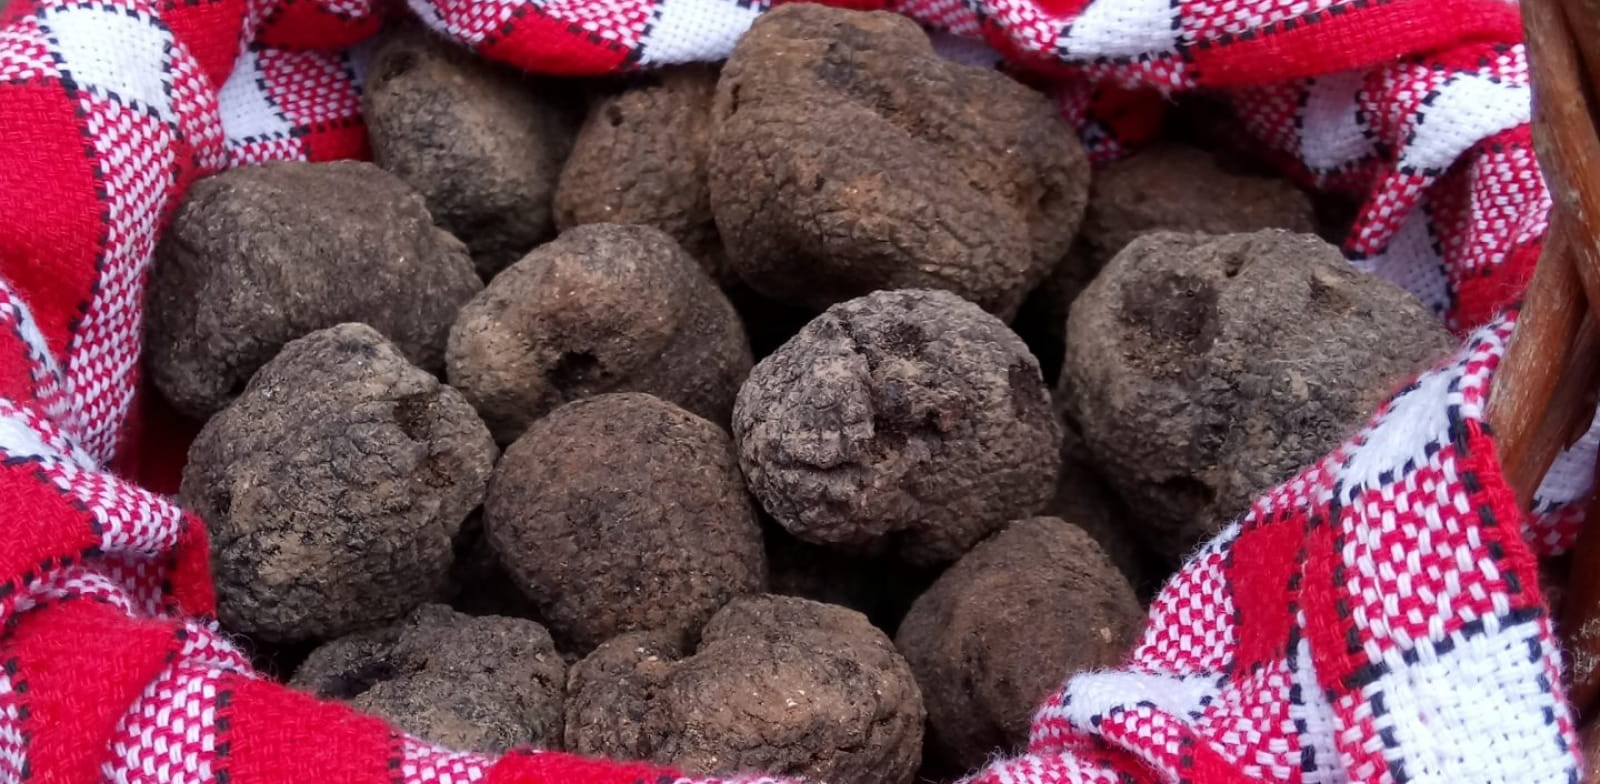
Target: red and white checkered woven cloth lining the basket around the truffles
{"x": 1374, "y": 620}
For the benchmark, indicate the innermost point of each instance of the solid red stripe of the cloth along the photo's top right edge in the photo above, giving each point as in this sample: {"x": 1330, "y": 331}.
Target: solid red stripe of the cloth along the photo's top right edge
{"x": 1332, "y": 42}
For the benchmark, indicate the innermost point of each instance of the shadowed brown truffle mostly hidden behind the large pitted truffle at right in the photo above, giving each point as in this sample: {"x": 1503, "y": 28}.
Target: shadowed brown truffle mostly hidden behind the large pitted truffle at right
{"x": 1166, "y": 188}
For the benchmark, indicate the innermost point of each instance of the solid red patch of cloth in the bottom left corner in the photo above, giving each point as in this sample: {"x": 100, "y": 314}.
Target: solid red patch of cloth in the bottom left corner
{"x": 84, "y": 663}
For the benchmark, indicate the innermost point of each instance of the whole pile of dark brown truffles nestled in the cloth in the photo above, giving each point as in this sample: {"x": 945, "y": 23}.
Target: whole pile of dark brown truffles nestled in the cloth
{"x": 489, "y": 452}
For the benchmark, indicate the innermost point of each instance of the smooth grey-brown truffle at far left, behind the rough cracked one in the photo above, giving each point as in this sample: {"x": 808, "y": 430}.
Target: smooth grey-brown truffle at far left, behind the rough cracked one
{"x": 262, "y": 255}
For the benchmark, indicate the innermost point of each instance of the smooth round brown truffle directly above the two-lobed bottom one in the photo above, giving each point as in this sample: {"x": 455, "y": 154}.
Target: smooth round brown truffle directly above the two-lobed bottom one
{"x": 623, "y": 513}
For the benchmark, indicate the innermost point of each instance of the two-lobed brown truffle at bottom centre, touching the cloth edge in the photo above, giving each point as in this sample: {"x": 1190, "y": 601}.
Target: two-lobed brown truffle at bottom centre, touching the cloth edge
{"x": 782, "y": 686}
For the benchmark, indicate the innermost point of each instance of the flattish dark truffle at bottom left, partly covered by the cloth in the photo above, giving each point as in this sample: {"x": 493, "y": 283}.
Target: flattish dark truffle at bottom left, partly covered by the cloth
{"x": 486, "y": 684}
